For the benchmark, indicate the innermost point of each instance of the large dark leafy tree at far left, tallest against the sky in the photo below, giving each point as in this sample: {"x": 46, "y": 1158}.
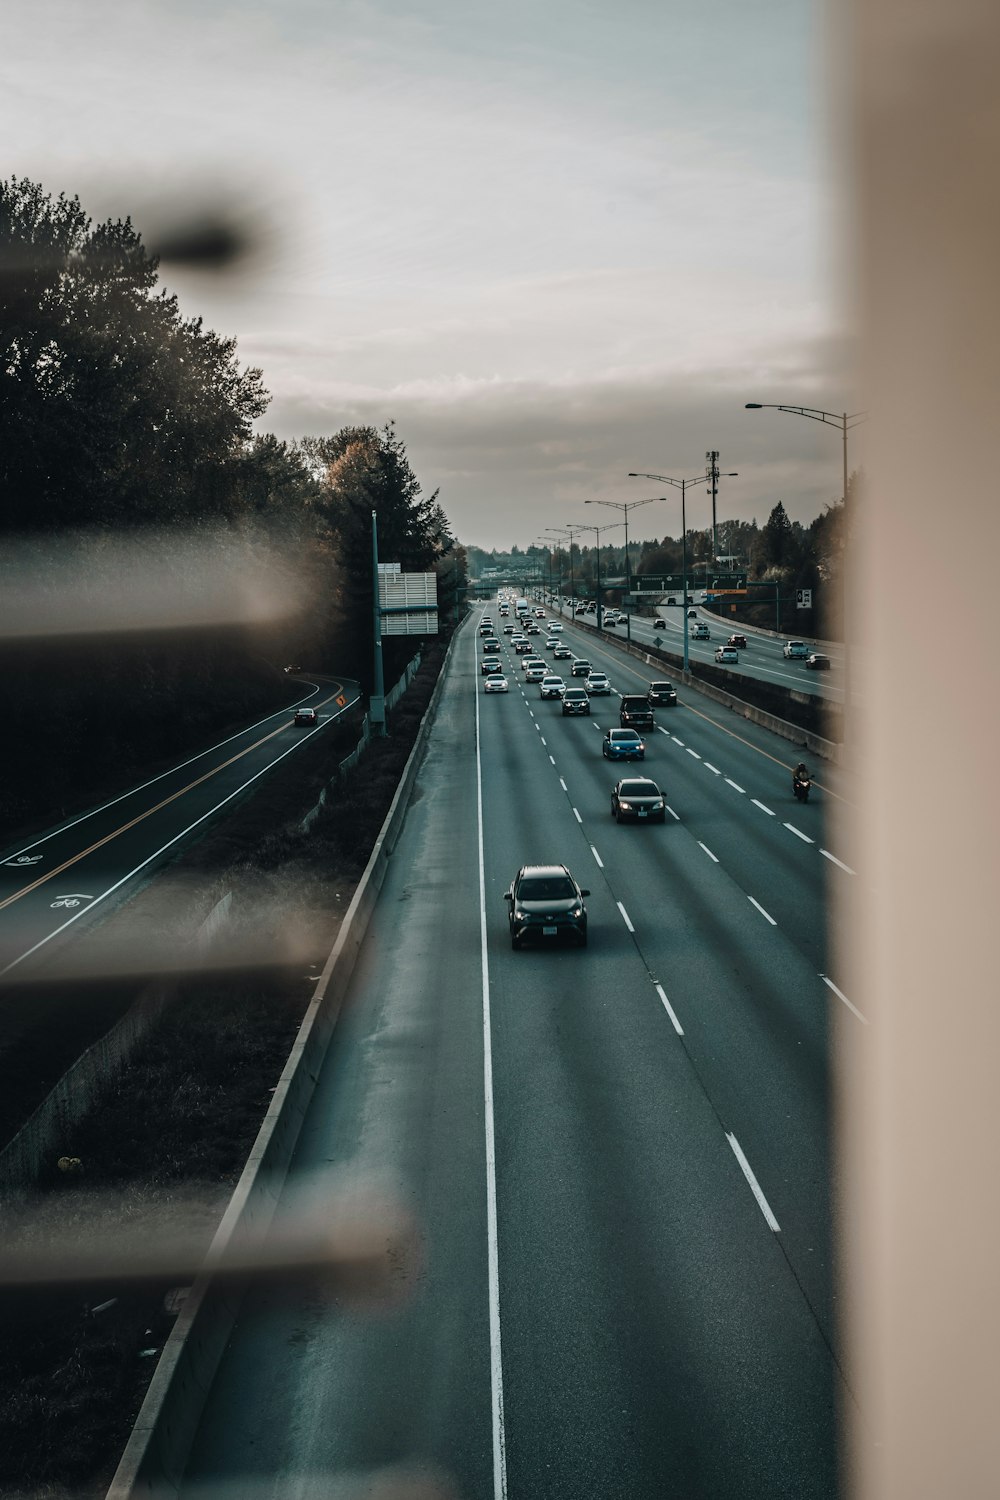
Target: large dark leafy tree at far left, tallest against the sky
{"x": 116, "y": 409}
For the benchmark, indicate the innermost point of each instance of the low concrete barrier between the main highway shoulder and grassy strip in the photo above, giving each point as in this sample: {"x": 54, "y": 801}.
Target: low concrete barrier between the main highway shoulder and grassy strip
{"x": 158, "y": 1450}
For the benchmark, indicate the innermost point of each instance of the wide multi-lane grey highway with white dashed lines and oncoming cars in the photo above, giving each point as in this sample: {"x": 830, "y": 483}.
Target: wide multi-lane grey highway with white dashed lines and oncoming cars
{"x": 620, "y": 1157}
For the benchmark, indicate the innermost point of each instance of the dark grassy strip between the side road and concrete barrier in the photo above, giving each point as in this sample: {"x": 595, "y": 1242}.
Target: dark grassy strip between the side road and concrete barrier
{"x": 169, "y": 1142}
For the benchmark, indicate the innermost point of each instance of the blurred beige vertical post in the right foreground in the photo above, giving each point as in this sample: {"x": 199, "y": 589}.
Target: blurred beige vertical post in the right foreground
{"x": 920, "y": 1118}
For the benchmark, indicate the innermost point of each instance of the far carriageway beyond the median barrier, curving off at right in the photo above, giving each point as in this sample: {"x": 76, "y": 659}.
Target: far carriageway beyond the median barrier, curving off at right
{"x": 762, "y": 659}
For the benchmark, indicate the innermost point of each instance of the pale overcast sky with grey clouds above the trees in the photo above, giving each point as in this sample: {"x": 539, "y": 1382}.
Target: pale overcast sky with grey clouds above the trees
{"x": 554, "y": 241}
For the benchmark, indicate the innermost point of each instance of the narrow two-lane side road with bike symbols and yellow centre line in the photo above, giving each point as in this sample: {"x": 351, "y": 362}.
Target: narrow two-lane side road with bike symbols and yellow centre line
{"x": 74, "y": 871}
